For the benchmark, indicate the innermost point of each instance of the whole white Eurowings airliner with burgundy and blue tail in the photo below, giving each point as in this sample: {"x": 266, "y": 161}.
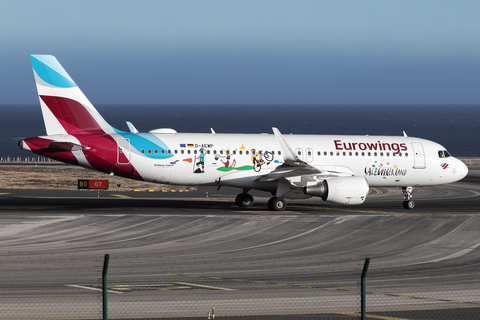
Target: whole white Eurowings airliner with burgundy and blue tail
{"x": 339, "y": 169}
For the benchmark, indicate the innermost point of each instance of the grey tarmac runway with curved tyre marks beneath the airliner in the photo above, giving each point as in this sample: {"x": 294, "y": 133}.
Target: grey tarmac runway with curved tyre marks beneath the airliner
{"x": 182, "y": 253}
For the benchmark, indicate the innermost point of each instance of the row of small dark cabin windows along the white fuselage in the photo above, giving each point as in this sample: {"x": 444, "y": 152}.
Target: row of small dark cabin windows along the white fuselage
{"x": 299, "y": 153}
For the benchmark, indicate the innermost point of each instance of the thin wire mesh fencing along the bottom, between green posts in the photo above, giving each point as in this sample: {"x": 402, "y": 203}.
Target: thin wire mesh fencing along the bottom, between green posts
{"x": 182, "y": 296}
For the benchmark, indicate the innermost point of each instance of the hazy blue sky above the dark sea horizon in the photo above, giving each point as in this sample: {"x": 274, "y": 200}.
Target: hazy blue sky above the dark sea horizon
{"x": 248, "y": 52}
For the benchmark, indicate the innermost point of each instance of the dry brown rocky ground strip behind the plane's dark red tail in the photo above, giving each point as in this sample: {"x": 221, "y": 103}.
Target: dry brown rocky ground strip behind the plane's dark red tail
{"x": 66, "y": 178}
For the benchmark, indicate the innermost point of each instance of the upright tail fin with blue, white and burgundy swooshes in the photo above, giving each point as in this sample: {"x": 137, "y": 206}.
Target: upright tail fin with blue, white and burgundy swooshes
{"x": 65, "y": 109}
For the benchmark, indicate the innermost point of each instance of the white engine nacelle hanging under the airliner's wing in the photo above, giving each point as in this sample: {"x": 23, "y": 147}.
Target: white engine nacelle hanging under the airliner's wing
{"x": 343, "y": 190}
